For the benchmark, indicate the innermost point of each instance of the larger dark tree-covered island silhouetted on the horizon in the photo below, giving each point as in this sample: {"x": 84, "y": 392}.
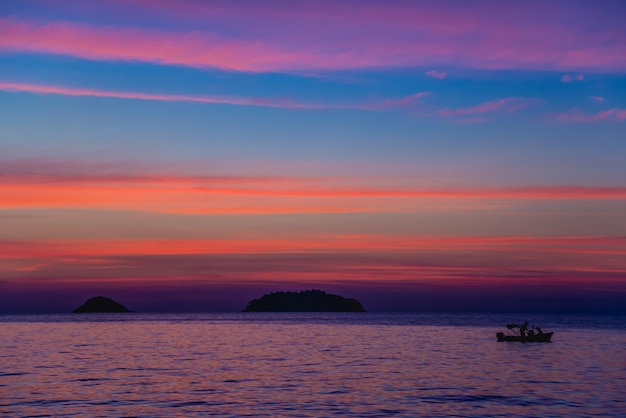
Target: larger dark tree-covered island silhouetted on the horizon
{"x": 304, "y": 301}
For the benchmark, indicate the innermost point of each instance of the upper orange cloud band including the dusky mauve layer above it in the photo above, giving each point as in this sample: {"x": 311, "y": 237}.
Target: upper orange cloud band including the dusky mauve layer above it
{"x": 41, "y": 184}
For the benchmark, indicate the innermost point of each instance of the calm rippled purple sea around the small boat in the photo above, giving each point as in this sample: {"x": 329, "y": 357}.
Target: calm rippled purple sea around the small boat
{"x": 304, "y": 365}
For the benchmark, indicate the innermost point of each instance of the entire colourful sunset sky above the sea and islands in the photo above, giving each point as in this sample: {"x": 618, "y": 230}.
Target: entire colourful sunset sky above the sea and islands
{"x": 416, "y": 155}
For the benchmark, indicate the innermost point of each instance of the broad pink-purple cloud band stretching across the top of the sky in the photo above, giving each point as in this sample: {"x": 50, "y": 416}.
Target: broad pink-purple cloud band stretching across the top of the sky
{"x": 337, "y": 35}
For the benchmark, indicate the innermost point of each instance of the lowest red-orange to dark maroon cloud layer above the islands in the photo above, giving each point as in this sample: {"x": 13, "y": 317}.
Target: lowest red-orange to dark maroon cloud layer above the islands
{"x": 486, "y": 263}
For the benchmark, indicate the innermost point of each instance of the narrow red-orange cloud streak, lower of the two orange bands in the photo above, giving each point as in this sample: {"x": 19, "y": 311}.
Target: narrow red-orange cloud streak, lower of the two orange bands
{"x": 311, "y": 243}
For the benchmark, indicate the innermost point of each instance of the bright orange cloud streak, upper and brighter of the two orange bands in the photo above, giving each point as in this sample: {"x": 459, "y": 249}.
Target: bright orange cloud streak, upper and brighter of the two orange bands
{"x": 249, "y": 195}
